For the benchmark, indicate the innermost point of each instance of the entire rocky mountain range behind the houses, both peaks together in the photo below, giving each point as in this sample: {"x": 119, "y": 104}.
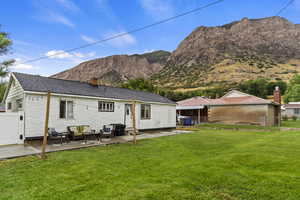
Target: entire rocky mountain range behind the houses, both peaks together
{"x": 210, "y": 56}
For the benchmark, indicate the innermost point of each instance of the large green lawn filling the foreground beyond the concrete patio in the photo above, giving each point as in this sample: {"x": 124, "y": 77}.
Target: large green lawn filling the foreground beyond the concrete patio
{"x": 207, "y": 164}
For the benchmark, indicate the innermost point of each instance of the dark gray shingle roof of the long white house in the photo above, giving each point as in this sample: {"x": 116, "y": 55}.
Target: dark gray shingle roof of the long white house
{"x": 38, "y": 83}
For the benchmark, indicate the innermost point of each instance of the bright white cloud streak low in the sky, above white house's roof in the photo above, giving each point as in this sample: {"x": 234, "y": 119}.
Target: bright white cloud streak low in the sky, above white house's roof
{"x": 60, "y": 54}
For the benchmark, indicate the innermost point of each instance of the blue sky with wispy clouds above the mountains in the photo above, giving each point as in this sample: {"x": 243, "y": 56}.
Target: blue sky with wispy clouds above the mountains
{"x": 44, "y": 27}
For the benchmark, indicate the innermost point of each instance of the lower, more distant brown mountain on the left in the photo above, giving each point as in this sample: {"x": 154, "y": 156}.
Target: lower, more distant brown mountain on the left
{"x": 112, "y": 70}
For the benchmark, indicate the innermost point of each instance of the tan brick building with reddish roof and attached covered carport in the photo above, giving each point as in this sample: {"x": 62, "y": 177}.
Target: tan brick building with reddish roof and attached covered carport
{"x": 235, "y": 107}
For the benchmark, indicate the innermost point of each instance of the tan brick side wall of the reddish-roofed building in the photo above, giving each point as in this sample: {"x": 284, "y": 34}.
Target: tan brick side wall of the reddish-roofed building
{"x": 239, "y": 114}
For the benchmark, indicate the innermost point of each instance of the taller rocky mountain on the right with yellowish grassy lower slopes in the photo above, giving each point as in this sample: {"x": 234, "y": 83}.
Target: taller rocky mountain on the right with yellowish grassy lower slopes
{"x": 235, "y": 52}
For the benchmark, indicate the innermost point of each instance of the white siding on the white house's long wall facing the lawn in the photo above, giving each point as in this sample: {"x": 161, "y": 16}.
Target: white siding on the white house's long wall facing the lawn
{"x": 86, "y": 113}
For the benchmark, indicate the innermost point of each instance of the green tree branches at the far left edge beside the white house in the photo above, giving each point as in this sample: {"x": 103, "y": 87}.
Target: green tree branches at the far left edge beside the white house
{"x": 5, "y": 43}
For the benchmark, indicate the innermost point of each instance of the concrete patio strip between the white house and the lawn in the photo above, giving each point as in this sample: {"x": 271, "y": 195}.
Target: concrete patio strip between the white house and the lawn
{"x": 15, "y": 151}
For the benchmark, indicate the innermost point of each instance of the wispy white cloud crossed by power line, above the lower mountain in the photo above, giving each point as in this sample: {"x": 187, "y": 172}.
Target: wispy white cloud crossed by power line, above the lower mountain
{"x": 123, "y": 41}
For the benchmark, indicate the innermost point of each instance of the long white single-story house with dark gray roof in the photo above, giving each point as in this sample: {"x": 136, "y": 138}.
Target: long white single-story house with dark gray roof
{"x": 79, "y": 103}
